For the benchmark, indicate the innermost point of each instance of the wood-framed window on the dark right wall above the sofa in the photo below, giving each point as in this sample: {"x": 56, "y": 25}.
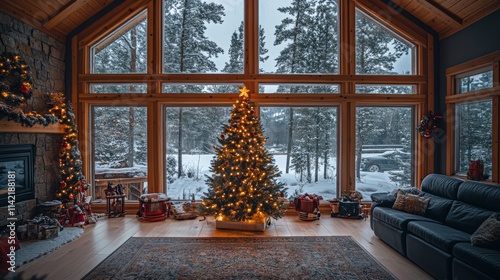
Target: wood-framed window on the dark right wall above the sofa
{"x": 473, "y": 100}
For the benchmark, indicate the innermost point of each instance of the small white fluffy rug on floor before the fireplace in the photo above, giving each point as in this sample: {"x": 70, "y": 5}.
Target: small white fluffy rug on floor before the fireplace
{"x": 34, "y": 249}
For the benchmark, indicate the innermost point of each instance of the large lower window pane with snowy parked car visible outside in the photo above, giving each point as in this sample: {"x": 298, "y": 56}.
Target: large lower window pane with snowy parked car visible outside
{"x": 384, "y": 157}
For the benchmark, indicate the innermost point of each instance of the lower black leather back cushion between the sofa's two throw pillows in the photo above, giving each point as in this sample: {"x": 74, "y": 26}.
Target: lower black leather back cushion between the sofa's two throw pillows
{"x": 466, "y": 217}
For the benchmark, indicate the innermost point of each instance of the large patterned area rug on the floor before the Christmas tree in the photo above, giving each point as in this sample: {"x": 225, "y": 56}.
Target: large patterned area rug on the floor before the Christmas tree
{"x": 325, "y": 257}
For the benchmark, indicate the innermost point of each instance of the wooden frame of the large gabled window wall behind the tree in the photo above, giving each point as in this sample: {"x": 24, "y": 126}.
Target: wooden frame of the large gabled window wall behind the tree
{"x": 346, "y": 100}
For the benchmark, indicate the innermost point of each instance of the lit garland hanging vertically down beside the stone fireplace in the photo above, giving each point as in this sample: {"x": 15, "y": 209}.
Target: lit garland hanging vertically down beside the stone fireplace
{"x": 72, "y": 186}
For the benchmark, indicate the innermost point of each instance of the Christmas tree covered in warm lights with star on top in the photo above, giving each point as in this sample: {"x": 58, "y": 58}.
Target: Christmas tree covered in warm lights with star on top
{"x": 244, "y": 186}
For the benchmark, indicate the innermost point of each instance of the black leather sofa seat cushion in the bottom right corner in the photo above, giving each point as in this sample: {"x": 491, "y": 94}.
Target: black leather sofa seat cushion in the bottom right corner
{"x": 484, "y": 259}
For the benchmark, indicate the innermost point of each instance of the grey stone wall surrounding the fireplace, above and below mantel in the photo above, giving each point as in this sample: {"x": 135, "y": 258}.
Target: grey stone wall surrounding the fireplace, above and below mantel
{"x": 46, "y": 57}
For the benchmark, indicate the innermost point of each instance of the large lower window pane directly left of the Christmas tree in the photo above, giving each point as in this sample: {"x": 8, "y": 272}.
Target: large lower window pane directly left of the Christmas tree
{"x": 191, "y": 133}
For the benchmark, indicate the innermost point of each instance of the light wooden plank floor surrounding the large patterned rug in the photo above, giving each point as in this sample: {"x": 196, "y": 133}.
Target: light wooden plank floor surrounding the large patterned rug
{"x": 77, "y": 258}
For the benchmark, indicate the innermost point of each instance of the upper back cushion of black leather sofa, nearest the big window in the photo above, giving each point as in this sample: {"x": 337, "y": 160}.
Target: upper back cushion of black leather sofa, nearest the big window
{"x": 441, "y": 185}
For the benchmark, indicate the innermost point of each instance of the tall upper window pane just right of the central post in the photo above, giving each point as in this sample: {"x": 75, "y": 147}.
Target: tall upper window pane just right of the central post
{"x": 299, "y": 37}
